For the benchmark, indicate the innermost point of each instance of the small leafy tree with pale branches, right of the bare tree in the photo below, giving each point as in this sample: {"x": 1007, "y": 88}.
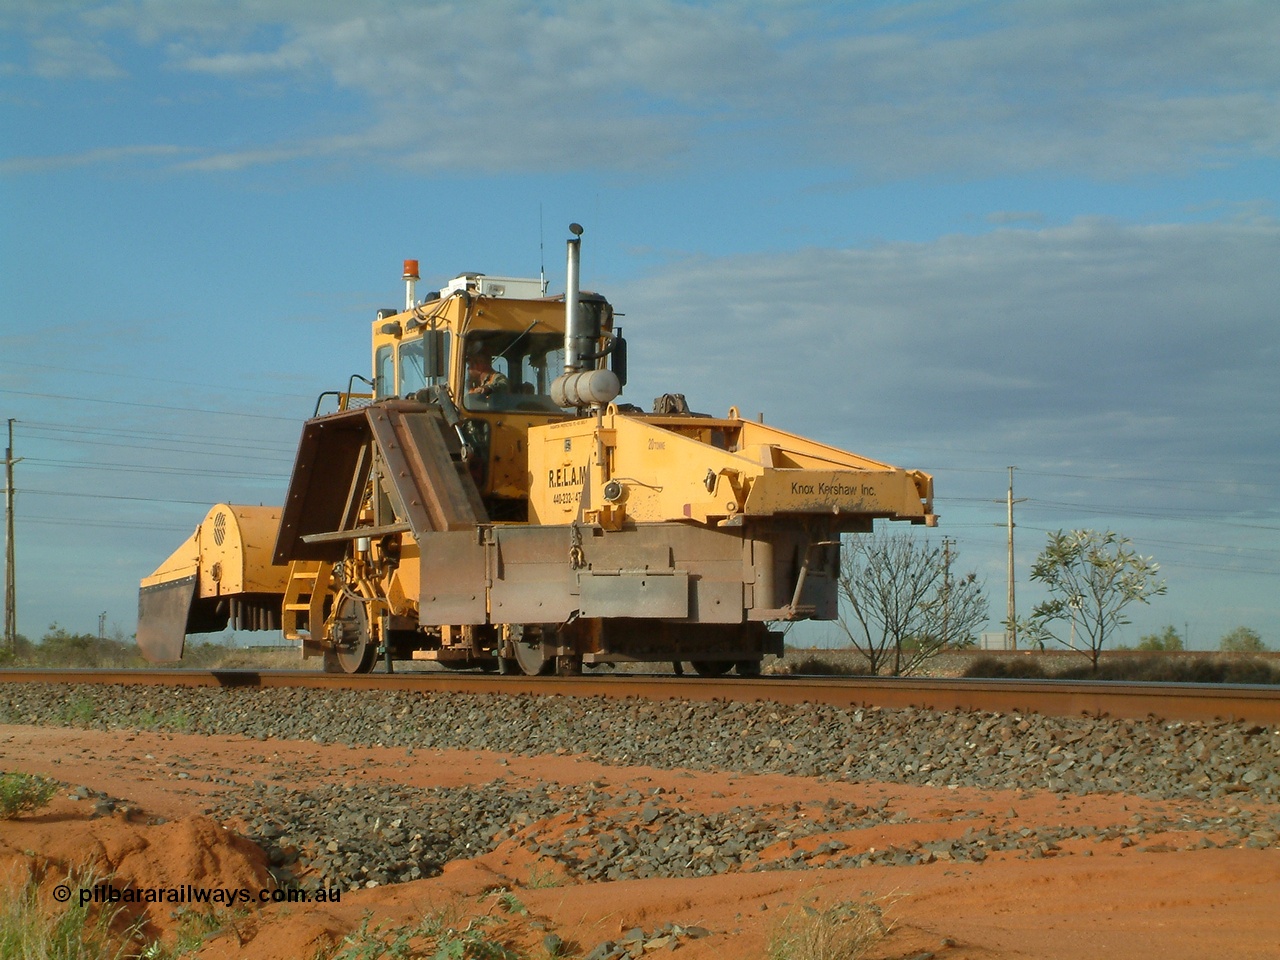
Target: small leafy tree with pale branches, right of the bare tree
{"x": 1091, "y": 579}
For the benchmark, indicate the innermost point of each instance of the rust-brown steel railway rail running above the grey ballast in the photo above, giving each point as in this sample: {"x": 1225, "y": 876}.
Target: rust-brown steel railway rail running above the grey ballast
{"x": 1167, "y": 702}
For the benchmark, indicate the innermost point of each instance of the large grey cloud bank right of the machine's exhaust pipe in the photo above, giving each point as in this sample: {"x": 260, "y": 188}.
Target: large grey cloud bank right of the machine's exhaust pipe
{"x": 1099, "y": 340}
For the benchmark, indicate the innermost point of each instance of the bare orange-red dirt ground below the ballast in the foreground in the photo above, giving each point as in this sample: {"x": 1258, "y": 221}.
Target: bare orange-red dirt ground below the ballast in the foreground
{"x": 1159, "y": 898}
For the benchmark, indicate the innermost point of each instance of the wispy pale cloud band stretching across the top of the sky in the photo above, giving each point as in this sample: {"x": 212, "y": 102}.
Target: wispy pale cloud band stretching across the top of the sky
{"x": 1018, "y": 86}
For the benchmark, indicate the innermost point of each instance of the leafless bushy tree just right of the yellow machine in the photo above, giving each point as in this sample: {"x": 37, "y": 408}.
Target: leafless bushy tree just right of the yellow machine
{"x": 903, "y": 605}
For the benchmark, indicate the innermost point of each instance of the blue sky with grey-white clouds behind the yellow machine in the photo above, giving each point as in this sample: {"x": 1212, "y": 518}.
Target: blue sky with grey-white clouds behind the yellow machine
{"x": 950, "y": 236}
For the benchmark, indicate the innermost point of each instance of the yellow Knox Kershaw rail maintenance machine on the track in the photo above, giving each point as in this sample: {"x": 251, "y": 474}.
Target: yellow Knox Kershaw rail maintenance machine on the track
{"x": 492, "y": 505}
